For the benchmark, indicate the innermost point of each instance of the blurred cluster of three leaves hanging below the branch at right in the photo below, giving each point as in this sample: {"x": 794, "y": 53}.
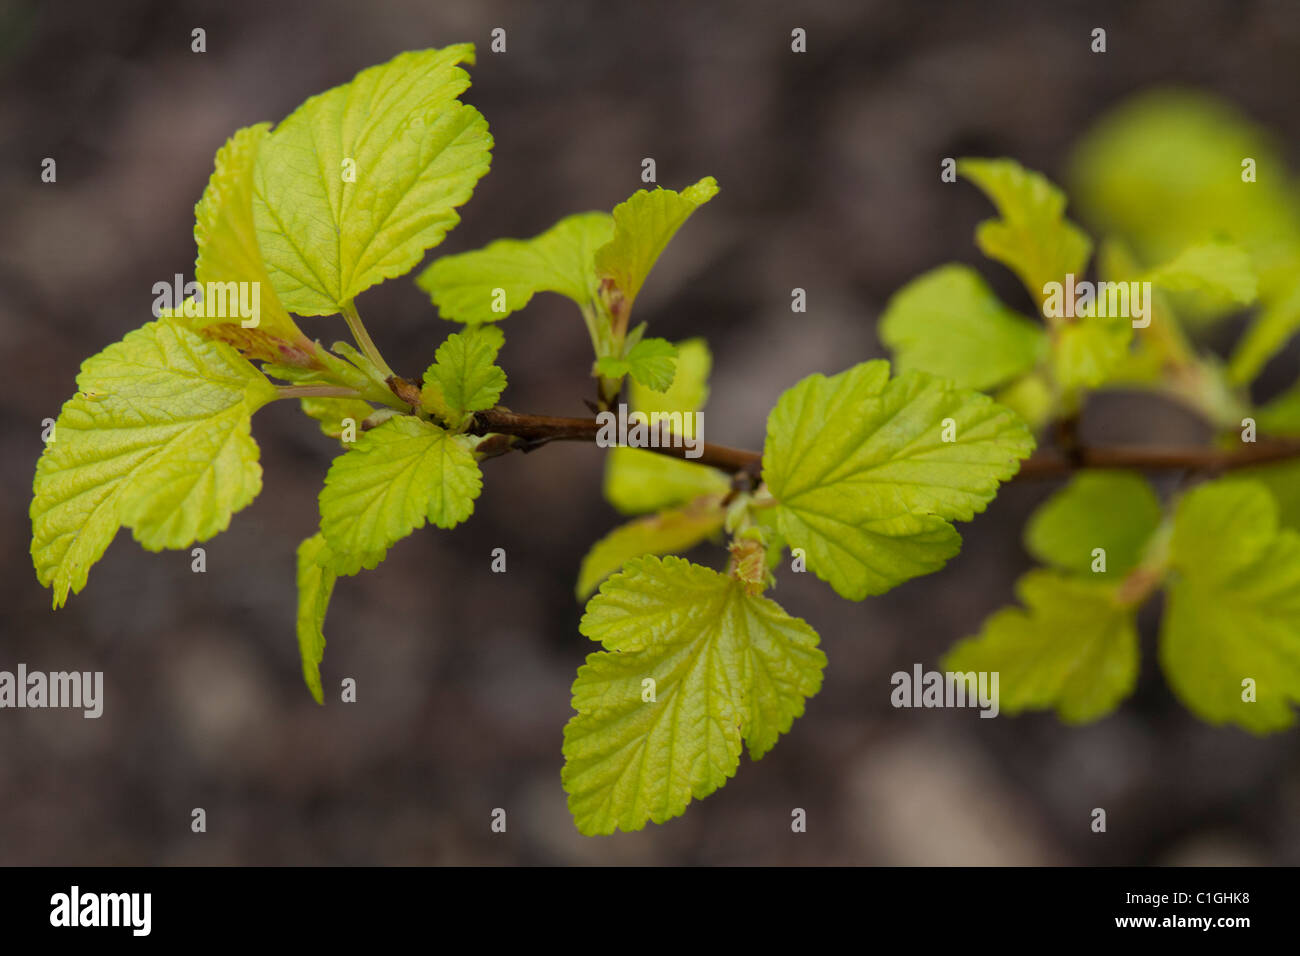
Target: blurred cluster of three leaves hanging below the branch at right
{"x": 1230, "y": 638}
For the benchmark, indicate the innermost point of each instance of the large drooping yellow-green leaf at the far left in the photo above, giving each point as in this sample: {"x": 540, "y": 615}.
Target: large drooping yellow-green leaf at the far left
{"x": 157, "y": 440}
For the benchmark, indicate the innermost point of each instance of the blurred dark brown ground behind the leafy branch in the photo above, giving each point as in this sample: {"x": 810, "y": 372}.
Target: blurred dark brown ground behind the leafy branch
{"x": 829, "y": 165}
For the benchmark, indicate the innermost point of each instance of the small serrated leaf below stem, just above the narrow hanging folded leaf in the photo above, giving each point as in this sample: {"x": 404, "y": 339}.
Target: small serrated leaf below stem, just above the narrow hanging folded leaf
{"x": 389, "y": 483}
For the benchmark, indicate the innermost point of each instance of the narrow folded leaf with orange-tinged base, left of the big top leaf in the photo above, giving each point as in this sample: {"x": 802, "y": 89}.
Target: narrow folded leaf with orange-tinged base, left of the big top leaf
{"x": 228, "y": 254}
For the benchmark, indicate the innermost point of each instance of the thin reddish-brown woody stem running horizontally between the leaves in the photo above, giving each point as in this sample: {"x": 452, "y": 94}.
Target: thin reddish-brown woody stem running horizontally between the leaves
{"x": 536, "y": 431}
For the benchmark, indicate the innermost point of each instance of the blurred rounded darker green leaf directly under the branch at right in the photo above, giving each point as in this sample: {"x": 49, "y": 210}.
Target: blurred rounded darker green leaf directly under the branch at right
{"x": 1113, "y": 511}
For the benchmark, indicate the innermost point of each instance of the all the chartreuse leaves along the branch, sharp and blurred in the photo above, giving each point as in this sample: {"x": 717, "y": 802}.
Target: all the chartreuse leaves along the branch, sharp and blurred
{"x": 863, "y": 475}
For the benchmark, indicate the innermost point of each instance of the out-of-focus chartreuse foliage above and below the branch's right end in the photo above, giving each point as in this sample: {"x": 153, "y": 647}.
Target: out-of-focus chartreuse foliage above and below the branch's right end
{"x": 1194, "y": 200}
